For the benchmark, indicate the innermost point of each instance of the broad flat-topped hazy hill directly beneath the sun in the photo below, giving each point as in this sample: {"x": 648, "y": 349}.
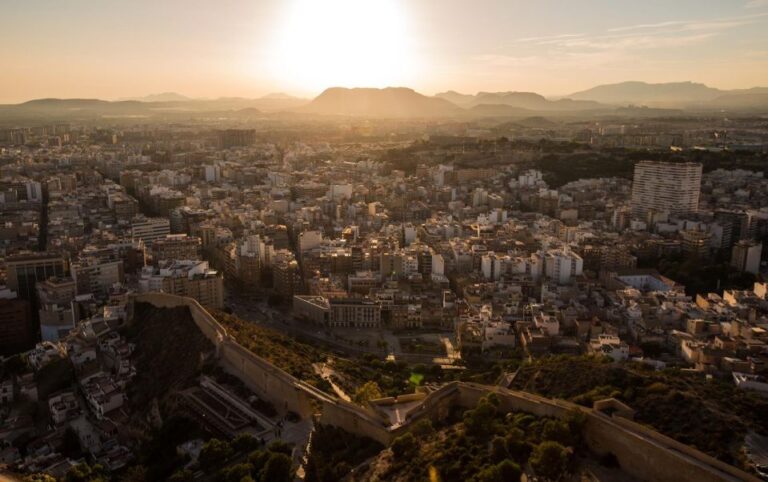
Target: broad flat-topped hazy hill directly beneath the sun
{"x": 395, "y": 102}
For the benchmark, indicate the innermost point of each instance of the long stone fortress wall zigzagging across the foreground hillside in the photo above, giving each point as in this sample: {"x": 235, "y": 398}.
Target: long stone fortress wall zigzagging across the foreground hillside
{"x": 640, "y": 451}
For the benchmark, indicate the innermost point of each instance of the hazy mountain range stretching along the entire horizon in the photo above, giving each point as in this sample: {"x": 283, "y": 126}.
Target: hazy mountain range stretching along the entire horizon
{"x": 624, "y": 99}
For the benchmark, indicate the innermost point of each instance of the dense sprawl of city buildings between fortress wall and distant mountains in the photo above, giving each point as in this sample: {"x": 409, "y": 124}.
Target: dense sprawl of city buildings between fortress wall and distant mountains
{"x": 456, "y": 254}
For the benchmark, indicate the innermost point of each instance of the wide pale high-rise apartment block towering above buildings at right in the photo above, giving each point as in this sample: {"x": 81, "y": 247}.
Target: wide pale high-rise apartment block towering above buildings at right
{"x": 671, "y": 187}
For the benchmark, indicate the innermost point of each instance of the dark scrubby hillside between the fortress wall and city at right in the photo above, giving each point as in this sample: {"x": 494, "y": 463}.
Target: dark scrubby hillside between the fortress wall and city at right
{"x": 712, "y": 416}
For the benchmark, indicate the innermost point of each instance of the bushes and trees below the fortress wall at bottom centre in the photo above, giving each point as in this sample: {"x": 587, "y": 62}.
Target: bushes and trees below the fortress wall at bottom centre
{"x": 482, "y": 444}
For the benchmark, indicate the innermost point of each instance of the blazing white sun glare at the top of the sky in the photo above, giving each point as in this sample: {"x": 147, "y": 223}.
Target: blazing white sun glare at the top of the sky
{"x": 347, "y": 43}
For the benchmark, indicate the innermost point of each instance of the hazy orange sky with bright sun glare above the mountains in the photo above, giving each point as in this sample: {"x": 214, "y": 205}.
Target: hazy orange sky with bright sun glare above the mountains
{"x": 116, "y": 48}
